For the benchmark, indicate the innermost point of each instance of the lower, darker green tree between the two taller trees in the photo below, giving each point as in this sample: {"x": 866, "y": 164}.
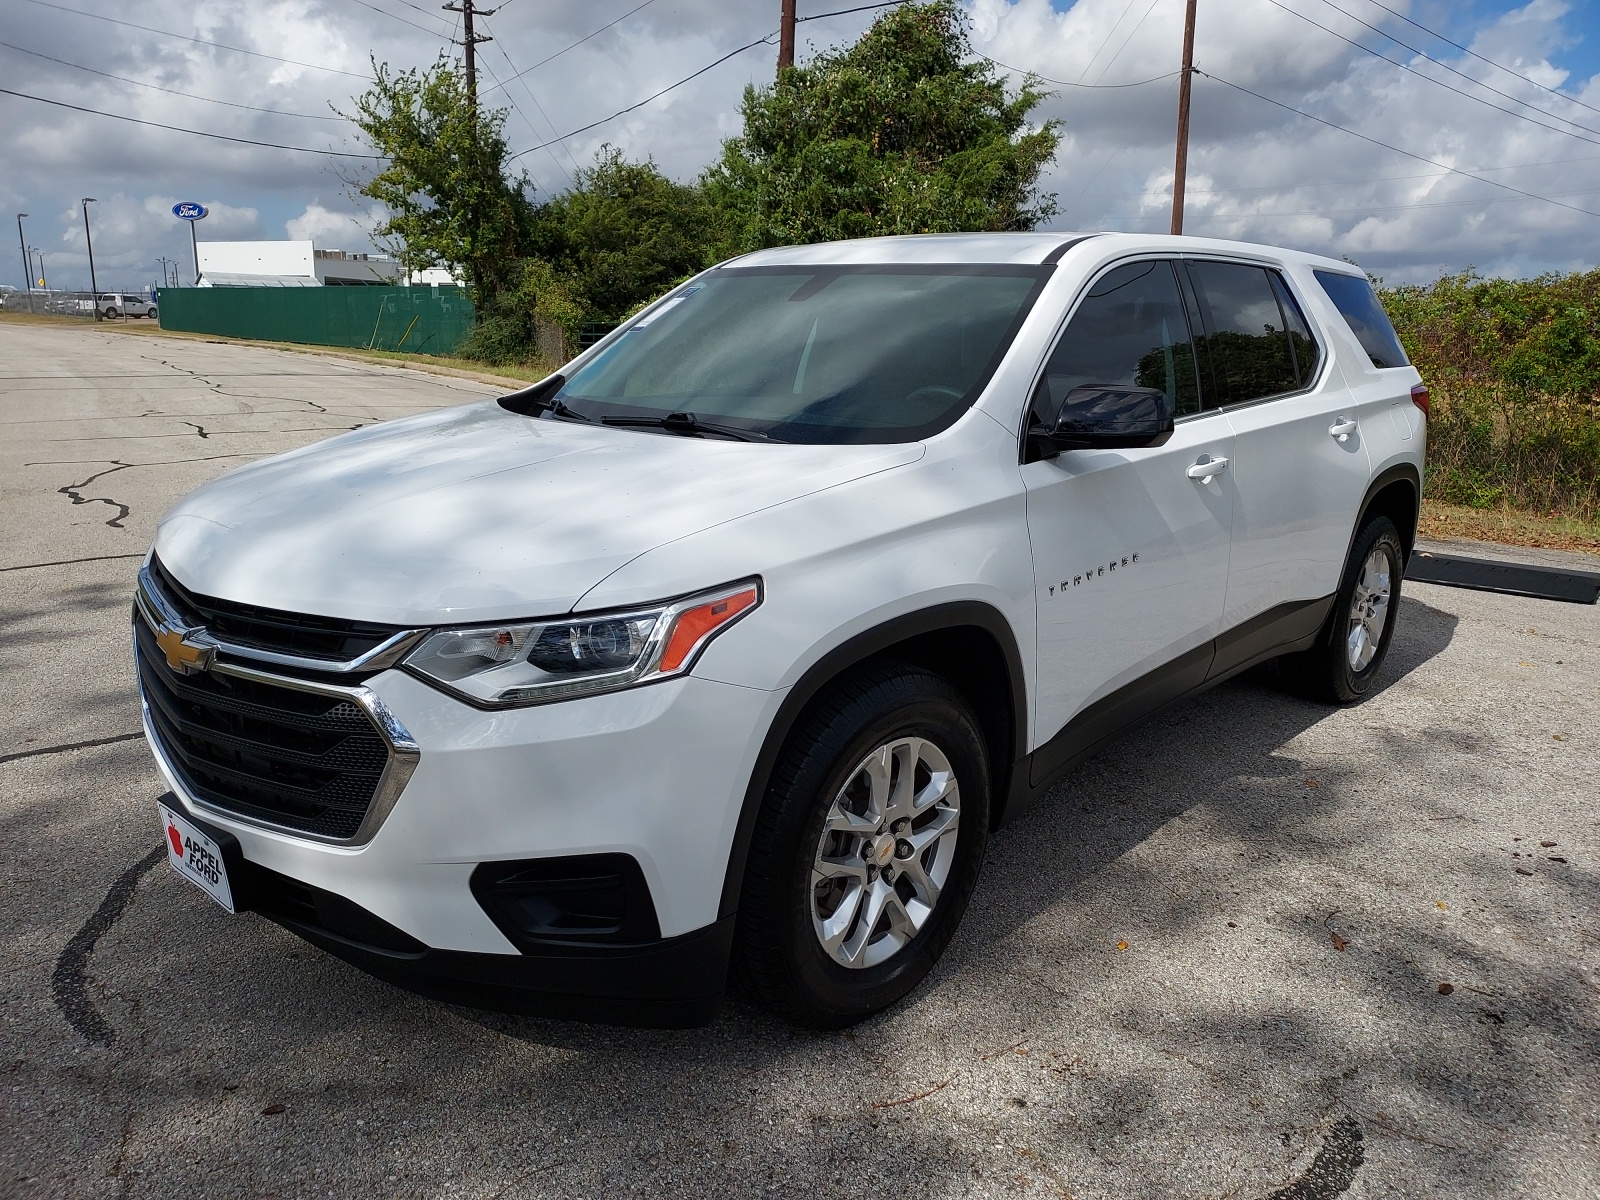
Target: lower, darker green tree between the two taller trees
{"x": 625, "y": 234}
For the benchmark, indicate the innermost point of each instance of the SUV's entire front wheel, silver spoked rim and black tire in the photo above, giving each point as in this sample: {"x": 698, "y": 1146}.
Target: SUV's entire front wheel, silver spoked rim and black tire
{"x": 866, "y": 850}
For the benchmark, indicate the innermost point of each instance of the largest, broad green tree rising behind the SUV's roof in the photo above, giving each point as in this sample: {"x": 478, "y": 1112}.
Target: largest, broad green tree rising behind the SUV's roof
{"x": 900, "y": 134}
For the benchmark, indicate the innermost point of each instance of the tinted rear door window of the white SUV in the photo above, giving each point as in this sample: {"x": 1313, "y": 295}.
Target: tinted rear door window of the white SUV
{"x": 1246, "y": 337}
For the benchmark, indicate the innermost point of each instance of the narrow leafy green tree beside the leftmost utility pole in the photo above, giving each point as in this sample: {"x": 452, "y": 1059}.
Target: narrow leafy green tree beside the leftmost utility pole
{"x": 446, "y": 178}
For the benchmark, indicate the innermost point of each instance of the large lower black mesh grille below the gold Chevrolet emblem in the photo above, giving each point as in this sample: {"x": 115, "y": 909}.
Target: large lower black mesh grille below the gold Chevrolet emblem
{"x": 289, "y": 758}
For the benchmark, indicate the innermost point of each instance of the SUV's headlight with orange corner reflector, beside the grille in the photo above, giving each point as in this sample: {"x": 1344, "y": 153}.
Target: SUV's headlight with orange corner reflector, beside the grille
{"x": 540, "y": 662}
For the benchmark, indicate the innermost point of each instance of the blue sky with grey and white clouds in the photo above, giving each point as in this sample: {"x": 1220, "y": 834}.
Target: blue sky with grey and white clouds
{"x": 1478, "y": 145}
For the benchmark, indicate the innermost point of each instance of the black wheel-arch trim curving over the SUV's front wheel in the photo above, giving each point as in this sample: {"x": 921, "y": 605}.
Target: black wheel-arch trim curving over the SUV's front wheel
{"x": 1004, "y": 730}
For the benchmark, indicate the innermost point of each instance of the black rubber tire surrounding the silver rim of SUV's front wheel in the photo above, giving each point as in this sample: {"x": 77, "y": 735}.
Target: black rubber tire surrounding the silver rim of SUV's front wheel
{"x": 780, "y": 958}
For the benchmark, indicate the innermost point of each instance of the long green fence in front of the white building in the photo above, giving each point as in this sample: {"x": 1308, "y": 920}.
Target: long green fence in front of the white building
{"x": 425, "y": 321}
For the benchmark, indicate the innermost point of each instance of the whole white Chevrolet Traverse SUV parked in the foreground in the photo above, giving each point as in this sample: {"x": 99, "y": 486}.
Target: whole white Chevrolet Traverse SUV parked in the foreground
{"x": 730, "y": 644}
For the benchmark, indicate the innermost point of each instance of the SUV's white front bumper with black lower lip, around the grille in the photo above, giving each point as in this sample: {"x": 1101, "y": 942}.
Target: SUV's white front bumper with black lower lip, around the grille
{"x": 655, "y": 774}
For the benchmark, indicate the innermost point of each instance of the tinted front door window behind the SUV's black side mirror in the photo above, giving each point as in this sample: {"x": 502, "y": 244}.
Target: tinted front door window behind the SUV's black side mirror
{"x": 1130, "y": 330}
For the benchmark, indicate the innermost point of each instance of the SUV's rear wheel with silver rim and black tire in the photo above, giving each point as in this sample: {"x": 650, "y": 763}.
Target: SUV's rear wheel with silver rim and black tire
{"x": 1343, "y": 668}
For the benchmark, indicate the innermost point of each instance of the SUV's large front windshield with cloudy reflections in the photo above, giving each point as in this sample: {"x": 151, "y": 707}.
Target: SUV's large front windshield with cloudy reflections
{"x": 815, "y": 354}
